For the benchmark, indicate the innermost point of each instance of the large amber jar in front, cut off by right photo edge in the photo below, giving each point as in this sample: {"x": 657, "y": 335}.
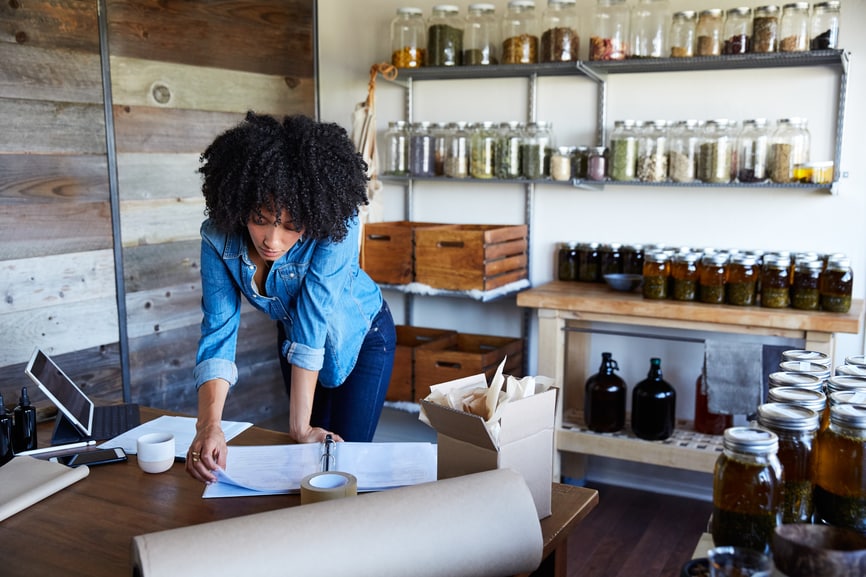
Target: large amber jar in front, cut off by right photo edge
{"x": 840, "y": 488}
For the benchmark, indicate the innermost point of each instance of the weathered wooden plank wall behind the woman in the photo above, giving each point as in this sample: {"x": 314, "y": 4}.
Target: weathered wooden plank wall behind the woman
{"x": 181, "y": 73}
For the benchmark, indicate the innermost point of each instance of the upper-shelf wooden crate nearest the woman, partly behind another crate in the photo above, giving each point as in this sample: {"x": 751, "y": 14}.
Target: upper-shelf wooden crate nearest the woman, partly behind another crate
{"x": 387, "y": 253}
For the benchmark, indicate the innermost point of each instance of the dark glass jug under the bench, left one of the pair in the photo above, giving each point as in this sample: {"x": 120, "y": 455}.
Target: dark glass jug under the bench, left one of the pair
{"x": 604, "y": 404}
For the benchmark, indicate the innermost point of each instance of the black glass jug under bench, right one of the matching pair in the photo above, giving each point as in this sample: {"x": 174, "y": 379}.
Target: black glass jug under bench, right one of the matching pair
{"x": 653, "y": 406}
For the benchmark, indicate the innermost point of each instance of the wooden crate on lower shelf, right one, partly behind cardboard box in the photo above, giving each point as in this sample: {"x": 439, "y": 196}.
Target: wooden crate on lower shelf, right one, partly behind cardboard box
{"x": 466, "y": 355}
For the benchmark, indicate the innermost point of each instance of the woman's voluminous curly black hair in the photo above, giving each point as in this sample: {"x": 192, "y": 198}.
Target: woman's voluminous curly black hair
{"x": 308, "y": 168}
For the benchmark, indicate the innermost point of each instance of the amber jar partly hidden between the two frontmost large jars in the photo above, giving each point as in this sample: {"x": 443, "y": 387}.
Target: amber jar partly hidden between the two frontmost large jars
{"x": 797, "y": 429}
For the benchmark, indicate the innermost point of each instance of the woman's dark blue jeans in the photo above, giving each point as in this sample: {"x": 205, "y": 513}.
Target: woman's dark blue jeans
{"x": 352, "y": 409}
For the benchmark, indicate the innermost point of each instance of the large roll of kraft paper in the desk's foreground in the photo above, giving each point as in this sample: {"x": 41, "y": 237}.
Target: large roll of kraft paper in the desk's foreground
{"x": 479, "y": 525}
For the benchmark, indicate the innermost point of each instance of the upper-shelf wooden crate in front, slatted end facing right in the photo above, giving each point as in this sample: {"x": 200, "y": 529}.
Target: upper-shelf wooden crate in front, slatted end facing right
{"x": 471, "y": 256}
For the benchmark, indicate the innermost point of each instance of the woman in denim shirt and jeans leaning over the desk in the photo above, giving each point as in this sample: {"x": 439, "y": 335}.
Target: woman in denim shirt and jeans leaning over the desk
{"x": 282, "y": 200}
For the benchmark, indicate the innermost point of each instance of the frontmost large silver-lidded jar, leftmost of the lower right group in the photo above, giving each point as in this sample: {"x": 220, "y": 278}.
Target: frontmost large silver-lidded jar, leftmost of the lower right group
{"x": 747, "y": 489}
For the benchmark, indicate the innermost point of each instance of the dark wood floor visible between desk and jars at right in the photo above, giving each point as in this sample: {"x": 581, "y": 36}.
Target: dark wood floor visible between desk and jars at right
{"x": 635, "y": 533}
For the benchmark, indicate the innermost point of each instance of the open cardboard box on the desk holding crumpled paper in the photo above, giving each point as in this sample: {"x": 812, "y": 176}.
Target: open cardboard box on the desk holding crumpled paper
{"x": 526, "y": 441}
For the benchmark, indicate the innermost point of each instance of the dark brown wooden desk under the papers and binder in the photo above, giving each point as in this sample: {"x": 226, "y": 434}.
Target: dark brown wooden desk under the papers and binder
{"x": 86, "y": 529}
